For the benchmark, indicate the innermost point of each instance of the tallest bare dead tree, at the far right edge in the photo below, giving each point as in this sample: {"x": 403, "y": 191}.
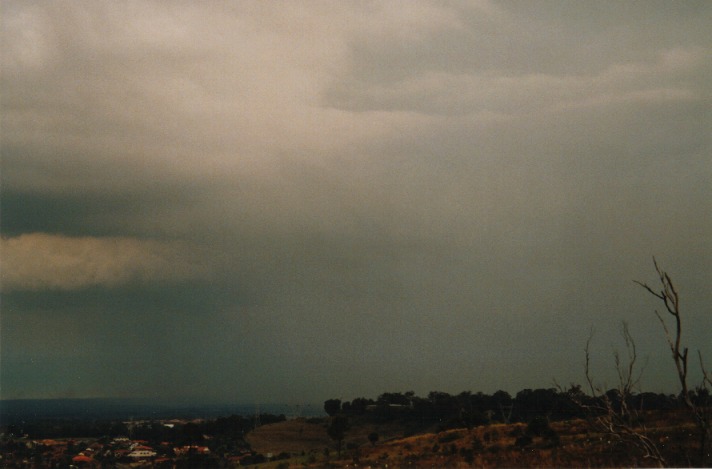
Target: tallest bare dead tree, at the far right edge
{"x": 699, "y": 408}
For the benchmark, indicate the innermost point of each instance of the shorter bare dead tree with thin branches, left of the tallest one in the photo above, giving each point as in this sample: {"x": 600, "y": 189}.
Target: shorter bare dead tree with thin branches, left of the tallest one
{"x": 613, "y": 412}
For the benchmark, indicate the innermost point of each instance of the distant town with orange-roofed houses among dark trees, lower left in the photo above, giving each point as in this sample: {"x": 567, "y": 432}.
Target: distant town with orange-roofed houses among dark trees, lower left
{"x": 73, "y": 442}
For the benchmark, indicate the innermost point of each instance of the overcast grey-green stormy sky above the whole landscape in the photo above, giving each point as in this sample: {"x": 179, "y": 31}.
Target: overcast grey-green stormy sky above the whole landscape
{"x": 294, "y": 201}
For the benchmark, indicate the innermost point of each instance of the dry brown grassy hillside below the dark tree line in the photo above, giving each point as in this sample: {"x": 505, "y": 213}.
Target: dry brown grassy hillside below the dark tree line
{"x": 575, "y": 444}
